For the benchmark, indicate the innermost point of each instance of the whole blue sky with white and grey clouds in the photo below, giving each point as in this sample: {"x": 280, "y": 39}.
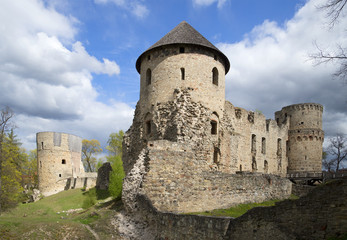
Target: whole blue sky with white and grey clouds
{"x": 69, "y": 66}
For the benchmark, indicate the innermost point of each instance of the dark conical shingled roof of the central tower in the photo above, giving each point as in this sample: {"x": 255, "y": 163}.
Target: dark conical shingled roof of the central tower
{"x": 183, "y": 33}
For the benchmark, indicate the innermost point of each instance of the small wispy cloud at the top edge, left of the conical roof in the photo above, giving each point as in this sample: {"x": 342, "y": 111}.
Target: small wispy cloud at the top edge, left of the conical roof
{"x": 134, "y": 6}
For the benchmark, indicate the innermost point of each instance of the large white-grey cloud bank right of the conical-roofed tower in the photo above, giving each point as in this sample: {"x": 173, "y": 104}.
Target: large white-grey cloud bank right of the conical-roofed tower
{"x": 270, "y": 67}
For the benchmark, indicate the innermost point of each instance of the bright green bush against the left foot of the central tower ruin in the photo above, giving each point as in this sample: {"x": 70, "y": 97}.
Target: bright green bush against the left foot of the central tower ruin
{"x": 116, "y": 176}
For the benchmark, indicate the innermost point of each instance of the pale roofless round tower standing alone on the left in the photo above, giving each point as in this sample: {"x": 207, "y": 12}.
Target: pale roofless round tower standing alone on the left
{"x": 59, "y": 159}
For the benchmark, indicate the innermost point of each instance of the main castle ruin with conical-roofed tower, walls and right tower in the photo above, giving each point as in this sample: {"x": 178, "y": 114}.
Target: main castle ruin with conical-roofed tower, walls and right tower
{"x": 189, "y": 149}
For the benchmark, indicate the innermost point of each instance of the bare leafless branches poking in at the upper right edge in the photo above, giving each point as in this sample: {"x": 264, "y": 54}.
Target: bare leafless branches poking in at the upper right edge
{"x": 334, "y": 9}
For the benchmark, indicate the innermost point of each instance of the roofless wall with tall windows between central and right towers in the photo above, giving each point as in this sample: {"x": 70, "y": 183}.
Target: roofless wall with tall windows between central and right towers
{"x": 256, "y": 144}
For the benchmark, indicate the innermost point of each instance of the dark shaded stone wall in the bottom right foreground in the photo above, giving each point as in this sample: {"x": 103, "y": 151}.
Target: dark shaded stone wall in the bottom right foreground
{"x": 322, "y": 214}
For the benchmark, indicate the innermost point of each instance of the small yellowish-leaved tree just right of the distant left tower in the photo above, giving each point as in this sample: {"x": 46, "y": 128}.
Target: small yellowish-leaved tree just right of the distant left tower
{"x": 89, "y": 149}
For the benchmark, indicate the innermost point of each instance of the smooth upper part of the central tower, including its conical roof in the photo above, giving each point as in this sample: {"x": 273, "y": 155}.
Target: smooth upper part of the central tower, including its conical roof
{"x": 182, "y": 59}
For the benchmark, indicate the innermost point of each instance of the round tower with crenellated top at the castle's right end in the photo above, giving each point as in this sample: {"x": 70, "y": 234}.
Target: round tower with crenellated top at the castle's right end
{"x": 305, "y": 136}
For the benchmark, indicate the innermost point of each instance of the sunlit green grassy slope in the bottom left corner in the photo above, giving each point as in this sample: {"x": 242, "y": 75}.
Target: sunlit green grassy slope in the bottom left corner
{"x": 45, "y": 219}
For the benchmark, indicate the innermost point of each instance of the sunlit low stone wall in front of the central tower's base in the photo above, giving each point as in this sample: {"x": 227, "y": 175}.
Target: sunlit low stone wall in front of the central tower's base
{"x": 178, "y": 181}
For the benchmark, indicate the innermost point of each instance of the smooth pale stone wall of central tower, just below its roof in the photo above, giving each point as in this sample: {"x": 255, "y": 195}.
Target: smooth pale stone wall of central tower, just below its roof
{"x": 167, "y": 67}
